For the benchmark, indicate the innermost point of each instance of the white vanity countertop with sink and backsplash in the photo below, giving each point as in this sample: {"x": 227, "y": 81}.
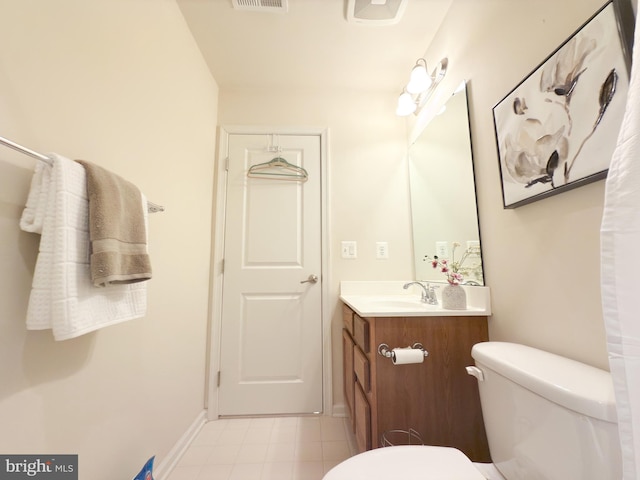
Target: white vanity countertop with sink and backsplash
{"x": 389, "y": 299}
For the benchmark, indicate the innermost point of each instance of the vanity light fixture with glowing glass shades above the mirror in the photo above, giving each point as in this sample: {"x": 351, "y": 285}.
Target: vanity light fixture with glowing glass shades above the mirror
{"x": 420, "y": 87}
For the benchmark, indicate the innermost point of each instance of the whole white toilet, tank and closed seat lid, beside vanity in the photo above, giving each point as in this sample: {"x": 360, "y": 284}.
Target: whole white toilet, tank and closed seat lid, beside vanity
{"x": 546, "y": 417}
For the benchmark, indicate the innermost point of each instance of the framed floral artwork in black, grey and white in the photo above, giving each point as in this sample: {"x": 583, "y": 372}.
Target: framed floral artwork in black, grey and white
{"x": 558, "y": 128}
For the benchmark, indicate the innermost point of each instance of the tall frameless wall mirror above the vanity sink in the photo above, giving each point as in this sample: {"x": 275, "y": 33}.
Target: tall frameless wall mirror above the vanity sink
{"x": 443, "y": 195}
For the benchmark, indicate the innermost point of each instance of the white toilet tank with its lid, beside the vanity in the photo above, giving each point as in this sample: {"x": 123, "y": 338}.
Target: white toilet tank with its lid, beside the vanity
{"x": 547, "y": 417}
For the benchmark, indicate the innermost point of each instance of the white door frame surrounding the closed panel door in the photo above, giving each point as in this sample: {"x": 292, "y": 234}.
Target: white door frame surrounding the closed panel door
{"x": 217, "y": 277}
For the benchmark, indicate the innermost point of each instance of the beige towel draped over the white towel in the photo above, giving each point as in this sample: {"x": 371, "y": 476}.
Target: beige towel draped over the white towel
{"x": 117, "y": 228}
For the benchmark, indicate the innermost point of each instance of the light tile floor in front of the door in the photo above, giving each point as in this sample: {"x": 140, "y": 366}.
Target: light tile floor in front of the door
{"x": 281, "y": 448}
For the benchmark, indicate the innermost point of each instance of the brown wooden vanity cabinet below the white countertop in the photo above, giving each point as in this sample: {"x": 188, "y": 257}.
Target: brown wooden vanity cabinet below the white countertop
{"x": 437, "y": 398}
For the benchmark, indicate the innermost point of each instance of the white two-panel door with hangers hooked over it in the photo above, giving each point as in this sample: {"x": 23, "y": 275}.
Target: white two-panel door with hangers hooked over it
{"x": 271, "y": 328}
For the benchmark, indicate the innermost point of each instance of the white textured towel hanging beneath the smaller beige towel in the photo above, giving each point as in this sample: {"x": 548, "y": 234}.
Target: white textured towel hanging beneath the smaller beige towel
{"x": 62, "y": 296}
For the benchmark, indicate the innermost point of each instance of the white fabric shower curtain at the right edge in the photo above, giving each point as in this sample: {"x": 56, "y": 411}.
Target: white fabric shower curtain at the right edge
{"x": 620, "y": 270}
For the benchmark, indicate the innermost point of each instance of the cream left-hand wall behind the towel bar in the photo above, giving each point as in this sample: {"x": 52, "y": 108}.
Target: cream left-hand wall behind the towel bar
{"x": 120, "y": 83}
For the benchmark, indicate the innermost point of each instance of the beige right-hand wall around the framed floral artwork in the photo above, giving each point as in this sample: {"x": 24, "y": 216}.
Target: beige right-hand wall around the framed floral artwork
{"x": 542, "y": 259}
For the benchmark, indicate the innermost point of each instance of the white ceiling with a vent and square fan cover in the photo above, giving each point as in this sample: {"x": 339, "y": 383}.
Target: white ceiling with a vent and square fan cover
{"x": 311, "y": 46}
